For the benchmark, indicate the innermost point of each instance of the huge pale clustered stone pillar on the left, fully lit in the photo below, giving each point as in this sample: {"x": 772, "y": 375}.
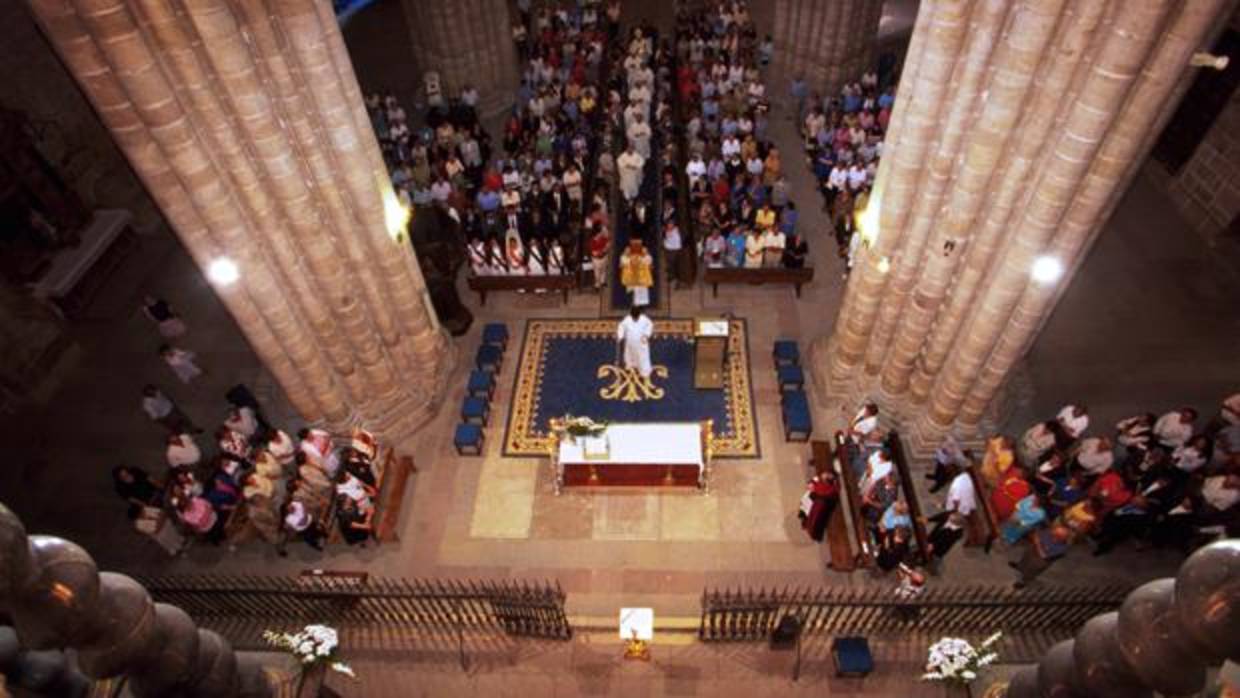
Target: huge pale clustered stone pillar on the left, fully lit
{"x": 245, "y": 121}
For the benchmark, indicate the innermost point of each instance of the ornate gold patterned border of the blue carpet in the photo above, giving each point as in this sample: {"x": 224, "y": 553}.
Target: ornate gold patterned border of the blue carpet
{"x": 521, "y": 441}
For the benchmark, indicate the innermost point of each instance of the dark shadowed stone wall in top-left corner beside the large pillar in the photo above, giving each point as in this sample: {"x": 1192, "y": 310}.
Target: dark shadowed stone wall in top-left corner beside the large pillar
{"x": 70, "y": 135}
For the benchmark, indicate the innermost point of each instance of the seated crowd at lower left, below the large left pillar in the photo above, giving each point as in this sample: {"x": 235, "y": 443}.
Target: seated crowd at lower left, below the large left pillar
{"x": 256, "y": 479}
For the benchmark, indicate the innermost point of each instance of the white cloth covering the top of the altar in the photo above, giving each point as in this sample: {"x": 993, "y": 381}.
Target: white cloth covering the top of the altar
{"x": 663, "y": 444}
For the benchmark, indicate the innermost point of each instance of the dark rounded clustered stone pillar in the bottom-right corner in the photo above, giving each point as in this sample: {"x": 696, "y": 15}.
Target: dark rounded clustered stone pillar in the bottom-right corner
{"x": 1165, "y": 635}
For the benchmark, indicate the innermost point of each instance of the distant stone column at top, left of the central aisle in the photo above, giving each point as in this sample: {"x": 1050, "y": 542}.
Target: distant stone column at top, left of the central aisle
{"x": 467, "y": 43}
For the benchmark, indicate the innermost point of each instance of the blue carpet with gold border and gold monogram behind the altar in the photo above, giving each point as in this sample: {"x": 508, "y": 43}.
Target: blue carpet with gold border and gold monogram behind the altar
{"x": 560, "y": 374}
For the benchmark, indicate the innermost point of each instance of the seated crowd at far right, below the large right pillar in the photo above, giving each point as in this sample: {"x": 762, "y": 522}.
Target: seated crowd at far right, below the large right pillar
{"x": 1166, "y": 482}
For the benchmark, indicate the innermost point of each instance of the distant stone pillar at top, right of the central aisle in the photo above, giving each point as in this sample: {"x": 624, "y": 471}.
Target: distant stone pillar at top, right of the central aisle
{"x": 825, "y": 42}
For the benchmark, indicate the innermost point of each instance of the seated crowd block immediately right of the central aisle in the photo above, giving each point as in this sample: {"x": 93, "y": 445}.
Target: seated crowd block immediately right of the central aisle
{"x": 737, "y": 190}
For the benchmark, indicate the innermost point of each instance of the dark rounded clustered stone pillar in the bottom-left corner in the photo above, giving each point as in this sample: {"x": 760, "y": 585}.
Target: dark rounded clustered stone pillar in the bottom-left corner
{"x": 59, "y": 599}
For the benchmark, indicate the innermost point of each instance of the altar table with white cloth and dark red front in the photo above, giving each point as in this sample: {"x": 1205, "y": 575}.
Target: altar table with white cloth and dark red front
{"x": 673, "y": 454}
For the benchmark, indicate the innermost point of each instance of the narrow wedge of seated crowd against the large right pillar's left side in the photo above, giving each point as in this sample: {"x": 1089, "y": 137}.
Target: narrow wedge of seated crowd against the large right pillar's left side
{"x": 844, "y": 142}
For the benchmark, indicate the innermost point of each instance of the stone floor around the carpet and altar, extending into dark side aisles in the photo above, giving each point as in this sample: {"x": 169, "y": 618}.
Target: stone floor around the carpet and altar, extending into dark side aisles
{"x": 1150, "y": 322}
